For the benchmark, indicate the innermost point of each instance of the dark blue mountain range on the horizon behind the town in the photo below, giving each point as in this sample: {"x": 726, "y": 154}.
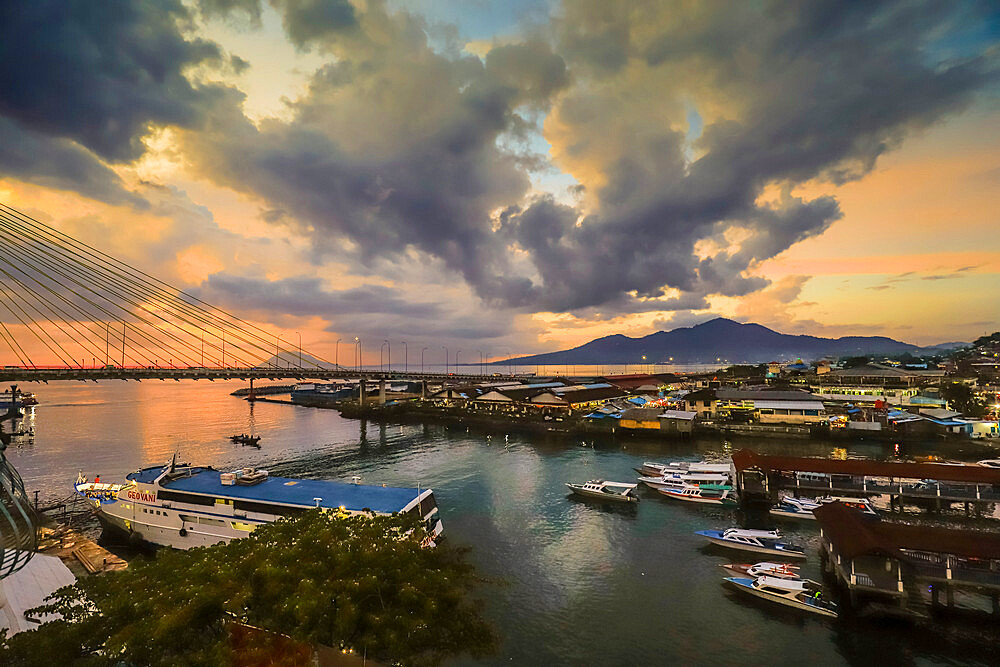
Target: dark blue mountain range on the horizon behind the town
{"x": 718, "y": 339}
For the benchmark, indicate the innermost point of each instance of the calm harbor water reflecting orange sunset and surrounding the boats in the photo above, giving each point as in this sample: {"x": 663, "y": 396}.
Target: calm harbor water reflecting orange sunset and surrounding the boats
{"x": 581, "y": 583}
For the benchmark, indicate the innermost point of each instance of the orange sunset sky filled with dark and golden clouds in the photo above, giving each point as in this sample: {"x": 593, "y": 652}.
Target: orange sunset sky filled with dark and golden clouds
{"x": 522, "y": 176}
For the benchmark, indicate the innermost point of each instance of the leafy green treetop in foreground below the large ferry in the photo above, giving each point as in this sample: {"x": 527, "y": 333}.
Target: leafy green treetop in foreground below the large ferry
{"x": 348, "y": 582}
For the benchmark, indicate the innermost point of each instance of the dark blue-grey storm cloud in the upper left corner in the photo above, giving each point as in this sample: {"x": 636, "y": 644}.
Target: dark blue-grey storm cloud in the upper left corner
{"x": 82, "y": 82}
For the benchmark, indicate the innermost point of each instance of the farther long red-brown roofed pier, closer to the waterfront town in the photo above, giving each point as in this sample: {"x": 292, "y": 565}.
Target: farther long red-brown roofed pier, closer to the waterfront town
{"x": 928, "y": 485}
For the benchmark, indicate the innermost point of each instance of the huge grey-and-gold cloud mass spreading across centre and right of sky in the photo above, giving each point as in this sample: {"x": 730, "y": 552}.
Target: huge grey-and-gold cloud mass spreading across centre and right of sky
{"x": 395, "y": 146}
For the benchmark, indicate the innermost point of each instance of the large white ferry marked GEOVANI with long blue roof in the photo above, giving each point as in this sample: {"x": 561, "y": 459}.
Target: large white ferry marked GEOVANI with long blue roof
{"x": 184, "y": 506}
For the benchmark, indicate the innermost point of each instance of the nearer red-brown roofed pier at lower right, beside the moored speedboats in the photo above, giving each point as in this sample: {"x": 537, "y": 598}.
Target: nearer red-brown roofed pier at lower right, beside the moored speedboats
{"x": 885, "y": 561}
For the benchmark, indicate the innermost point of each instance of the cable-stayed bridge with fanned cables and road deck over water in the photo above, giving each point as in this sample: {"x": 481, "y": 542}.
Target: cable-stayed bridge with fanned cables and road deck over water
{"x": 101, "y": 318}
